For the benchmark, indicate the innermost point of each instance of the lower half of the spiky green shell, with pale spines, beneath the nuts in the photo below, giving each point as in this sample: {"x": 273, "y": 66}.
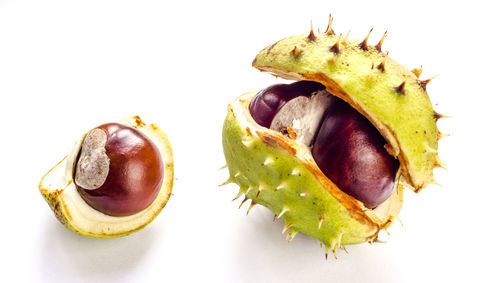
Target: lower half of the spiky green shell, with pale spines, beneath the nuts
{"x": 281, "y": 175}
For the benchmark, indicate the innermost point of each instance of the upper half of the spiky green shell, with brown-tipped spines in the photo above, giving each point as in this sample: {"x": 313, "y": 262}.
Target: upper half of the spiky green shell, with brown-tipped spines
{"x": 388, "y": 94}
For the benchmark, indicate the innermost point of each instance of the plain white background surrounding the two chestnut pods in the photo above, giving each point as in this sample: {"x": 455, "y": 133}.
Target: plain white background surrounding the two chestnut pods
{"x": 67, "y": 66}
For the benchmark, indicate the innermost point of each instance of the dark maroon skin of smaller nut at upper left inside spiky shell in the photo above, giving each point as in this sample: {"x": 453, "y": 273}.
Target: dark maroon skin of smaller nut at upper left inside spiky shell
{"x": 269, "y": 101}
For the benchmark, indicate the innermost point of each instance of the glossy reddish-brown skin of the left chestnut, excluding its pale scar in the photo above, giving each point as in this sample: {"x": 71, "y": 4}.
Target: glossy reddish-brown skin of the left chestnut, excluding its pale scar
{"x": 135, "y": 173}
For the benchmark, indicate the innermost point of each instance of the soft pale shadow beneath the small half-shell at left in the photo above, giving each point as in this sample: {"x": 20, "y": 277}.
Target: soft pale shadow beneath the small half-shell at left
{"x": 68, "y": 257}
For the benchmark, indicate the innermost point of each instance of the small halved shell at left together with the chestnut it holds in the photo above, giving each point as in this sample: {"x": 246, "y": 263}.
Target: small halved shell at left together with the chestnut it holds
{"x": 115, "y": 181}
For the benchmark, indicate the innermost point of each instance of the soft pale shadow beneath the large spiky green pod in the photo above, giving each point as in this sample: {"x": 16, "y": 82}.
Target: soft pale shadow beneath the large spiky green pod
{"x": 263, "y": 255}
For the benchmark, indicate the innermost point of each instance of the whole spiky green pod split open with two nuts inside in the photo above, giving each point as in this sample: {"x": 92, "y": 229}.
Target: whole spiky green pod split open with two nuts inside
{"x": 330, "y": 153}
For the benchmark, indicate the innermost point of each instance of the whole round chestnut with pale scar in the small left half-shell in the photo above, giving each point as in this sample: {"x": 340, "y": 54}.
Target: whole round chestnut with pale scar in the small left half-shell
{"x": 119, "y": 170}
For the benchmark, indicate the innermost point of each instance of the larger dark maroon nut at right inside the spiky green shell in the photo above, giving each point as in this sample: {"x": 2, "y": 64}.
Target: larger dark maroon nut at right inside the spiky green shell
{"x": 350, "y": 152}
